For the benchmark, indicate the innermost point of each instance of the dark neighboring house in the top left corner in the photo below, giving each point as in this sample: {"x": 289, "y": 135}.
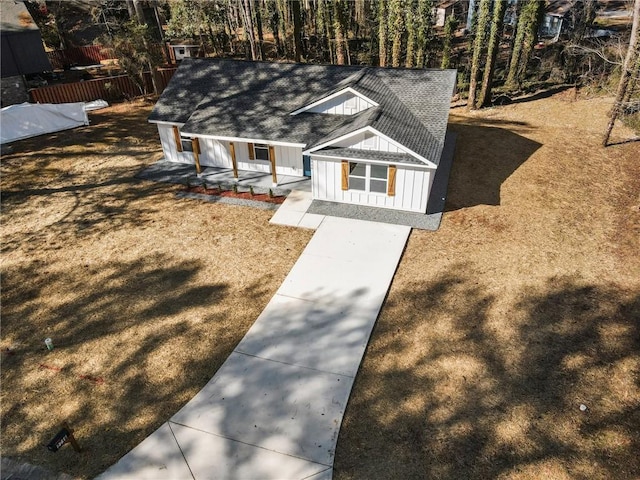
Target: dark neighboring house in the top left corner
{"x": 22, "y": 51}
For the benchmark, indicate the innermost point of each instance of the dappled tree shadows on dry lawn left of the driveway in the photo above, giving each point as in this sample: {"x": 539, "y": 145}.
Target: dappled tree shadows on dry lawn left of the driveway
{"x": 133, "y": 342}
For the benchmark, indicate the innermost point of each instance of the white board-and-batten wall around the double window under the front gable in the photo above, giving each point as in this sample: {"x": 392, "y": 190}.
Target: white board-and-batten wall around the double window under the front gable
{"x": 412, "y": 187}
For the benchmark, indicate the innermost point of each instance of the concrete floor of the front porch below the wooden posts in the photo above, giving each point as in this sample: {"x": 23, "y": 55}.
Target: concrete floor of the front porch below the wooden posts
{"x": 182, "y": 173}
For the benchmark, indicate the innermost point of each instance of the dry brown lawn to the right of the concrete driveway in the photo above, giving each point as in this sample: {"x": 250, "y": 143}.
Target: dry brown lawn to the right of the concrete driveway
{"x": 522, "y": 307}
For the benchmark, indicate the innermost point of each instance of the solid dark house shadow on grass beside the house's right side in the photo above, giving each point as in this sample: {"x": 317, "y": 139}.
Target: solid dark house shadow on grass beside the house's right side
{"x": 485, "y": 157}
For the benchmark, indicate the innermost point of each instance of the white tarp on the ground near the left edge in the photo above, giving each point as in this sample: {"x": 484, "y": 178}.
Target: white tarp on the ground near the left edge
{"x": 32, "y": 119}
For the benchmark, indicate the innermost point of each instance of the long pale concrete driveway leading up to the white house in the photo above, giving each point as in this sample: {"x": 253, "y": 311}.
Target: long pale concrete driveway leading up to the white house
{"x": 274, "y": 408}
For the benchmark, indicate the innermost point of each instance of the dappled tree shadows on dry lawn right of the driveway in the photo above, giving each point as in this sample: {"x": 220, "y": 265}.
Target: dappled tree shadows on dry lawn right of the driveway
{"x": 458, "y": 392}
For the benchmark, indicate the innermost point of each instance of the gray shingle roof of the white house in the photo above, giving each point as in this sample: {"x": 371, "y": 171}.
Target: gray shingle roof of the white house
{"x": 231, "y": 98}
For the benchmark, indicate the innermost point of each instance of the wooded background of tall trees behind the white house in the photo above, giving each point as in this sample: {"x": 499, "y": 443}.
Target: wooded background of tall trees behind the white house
{"x": 496, "y": 45}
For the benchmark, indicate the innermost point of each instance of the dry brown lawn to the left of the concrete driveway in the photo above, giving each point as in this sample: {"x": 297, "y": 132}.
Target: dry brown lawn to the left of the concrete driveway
{"x": 144, "y": 294}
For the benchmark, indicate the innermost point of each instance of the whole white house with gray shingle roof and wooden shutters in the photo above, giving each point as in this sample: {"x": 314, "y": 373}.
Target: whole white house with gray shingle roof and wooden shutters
{"x": 367, "y": 136}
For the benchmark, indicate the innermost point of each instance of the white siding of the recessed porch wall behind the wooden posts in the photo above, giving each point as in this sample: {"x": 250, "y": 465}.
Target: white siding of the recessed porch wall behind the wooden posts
{"x": 217, "y": 153}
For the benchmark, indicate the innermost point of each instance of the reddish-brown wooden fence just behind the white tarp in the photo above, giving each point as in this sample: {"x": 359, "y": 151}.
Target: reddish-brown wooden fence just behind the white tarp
{"x": 112, "y": 89}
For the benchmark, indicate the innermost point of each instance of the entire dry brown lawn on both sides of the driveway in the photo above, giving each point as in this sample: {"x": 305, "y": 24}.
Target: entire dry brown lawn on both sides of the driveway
{"x": 524, "y": 305}
